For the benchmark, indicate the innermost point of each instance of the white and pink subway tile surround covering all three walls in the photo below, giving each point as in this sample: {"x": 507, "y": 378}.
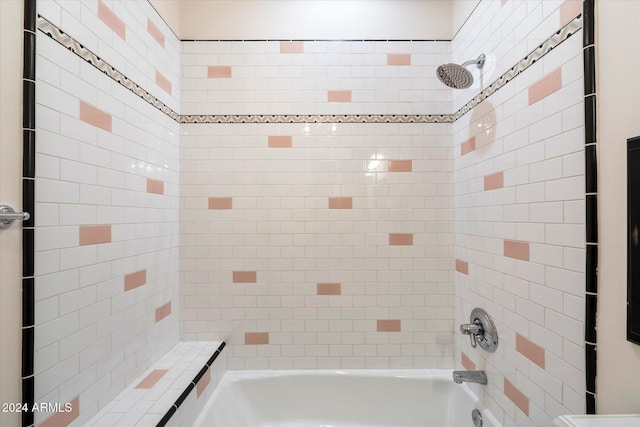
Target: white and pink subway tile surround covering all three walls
{"x": 253, "y": 262}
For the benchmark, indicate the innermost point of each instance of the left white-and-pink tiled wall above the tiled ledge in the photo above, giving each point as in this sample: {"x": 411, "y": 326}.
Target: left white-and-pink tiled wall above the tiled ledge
{"x": 106, "y": 283}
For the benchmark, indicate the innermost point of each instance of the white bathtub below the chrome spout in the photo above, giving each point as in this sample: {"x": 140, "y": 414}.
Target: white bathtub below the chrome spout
{"x": 349, "y": 398}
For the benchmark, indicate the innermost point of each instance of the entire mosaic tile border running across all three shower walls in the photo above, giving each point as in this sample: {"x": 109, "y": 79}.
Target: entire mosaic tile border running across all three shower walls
{"x": 73, "y": 45}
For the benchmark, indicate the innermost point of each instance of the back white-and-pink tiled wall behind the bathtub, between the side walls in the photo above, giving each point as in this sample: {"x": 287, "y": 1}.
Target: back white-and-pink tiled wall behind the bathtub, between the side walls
{"x": 317, "y": 245}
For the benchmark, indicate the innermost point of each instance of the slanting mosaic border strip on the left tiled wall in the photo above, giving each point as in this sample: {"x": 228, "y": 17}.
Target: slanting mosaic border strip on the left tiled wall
{"x": 76, "y": 47}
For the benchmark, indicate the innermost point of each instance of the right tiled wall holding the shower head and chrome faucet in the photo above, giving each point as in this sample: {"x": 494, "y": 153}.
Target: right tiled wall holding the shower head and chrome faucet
{"x": 519, "y": 208}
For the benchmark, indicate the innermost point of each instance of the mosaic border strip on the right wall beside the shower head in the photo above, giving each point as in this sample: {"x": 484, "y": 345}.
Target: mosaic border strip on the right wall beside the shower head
{"x": 552, "y": 42}
